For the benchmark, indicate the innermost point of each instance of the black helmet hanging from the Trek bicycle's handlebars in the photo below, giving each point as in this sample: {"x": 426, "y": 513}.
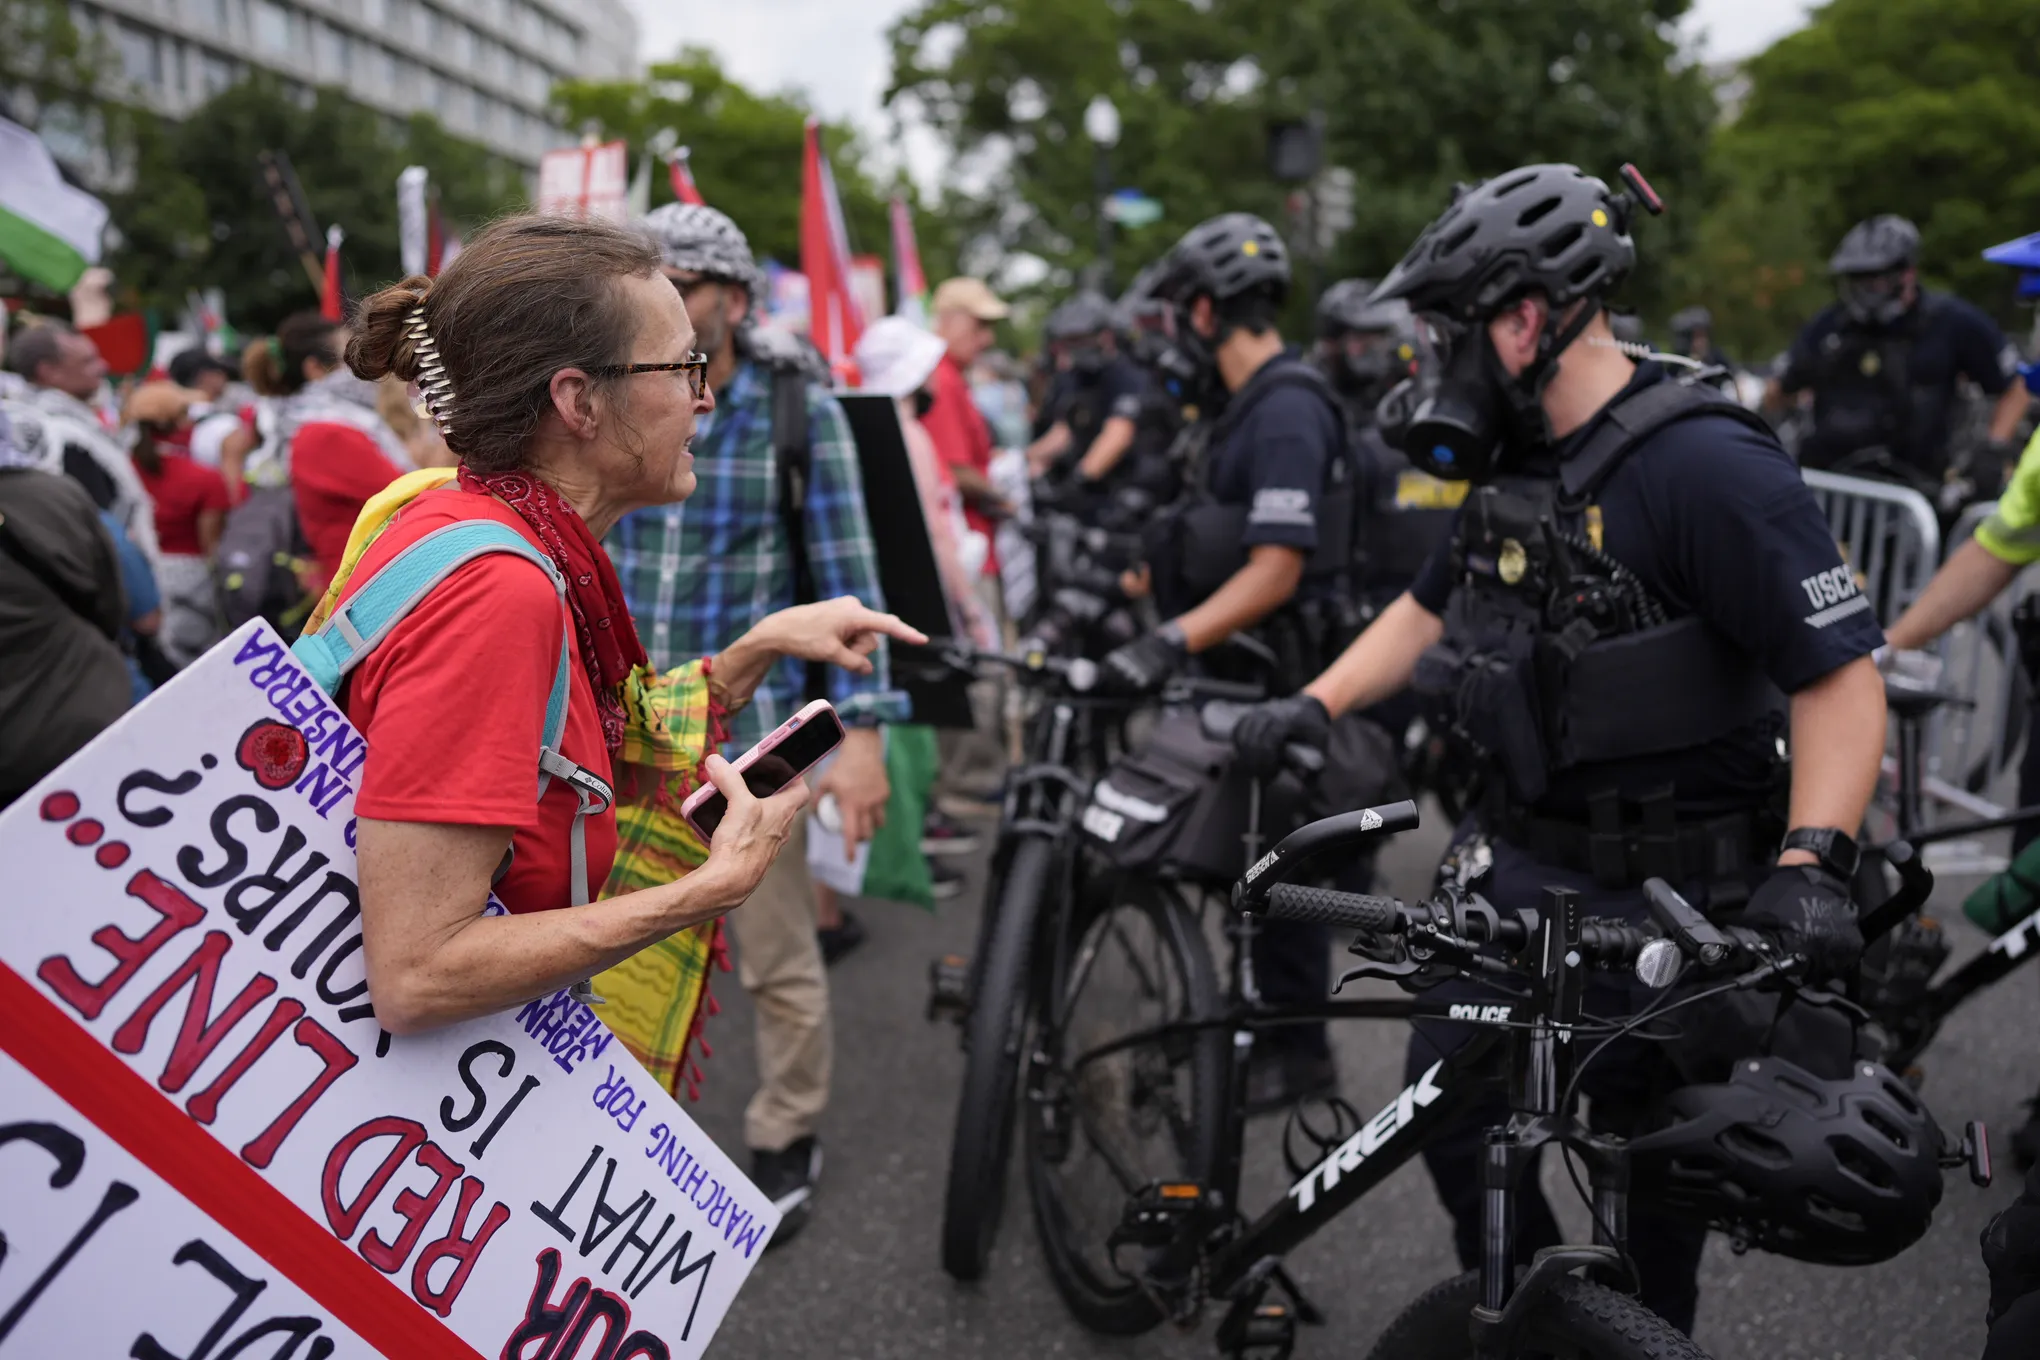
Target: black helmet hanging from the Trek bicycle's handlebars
{"x": 1835, "y": 1171}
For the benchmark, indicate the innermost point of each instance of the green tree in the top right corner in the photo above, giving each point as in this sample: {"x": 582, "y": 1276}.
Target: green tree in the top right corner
{"x": 1919, "y": 107}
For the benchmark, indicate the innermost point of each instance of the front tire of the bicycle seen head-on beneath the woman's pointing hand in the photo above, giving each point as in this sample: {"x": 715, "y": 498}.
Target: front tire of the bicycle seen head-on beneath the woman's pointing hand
{"x": 994, "y": 1037}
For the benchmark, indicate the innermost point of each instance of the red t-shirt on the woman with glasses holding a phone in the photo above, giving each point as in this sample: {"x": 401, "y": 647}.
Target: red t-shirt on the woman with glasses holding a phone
{"x": 454, "y": 707}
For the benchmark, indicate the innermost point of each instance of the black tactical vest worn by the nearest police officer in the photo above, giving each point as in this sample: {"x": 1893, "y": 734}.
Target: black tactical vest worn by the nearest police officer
{"x": 1553, "y": 653}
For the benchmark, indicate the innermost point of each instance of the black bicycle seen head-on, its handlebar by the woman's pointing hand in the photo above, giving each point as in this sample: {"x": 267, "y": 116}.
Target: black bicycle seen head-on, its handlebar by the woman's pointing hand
{"x": 1037, "y": 876}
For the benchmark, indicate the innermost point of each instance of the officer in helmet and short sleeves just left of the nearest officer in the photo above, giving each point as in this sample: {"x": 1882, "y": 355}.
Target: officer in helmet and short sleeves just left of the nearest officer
{"x": 1262, "y": 545}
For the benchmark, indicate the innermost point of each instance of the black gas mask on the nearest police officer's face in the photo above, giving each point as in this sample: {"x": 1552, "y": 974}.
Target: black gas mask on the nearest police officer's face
{"x": 1458, "y": 413}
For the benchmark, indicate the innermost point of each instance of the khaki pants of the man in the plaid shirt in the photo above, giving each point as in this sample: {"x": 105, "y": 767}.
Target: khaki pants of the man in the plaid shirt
{"x": 780, "y": 965}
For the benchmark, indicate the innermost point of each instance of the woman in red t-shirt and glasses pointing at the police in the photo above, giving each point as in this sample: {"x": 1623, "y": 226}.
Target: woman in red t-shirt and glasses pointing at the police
{"x": 560, "y": 366}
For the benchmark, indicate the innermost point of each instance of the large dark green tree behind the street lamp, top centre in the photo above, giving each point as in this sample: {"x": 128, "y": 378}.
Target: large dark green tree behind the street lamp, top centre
{"x": 1413, "y": 99}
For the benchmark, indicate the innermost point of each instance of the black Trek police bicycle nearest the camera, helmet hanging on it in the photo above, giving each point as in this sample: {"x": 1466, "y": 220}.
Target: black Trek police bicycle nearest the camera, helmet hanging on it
{"x": 1182, "y": 1241}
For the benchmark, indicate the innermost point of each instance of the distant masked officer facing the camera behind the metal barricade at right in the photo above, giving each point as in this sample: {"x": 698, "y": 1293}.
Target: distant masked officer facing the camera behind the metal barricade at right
{"x": 1884, "y": 362}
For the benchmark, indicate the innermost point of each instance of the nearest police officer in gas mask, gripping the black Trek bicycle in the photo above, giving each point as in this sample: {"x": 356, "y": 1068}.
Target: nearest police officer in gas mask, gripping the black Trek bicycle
{"x": 1637, "y": 596}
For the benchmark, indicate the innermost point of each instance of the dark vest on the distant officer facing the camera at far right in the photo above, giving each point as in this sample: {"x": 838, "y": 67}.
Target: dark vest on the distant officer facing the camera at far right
{"x": 1866, "y": 395}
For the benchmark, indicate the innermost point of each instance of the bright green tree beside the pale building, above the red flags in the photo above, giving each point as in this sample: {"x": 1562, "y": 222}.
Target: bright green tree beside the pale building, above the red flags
{"x": 746, "y": 152}
